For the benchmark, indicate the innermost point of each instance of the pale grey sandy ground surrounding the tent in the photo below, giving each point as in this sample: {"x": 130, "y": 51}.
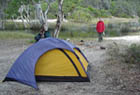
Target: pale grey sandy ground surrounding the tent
{"x": 106, "y": 78}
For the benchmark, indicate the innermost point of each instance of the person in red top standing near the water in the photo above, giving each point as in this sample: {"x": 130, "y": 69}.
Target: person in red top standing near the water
{"x": 100, "y": 27}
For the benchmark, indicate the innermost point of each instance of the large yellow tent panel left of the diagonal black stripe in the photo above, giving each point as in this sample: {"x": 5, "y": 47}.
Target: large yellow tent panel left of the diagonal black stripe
{"x": 54, "y": 63}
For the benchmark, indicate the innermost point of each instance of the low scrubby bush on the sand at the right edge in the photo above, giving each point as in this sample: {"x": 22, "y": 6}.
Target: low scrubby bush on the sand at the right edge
{"x": 125, "y": 54}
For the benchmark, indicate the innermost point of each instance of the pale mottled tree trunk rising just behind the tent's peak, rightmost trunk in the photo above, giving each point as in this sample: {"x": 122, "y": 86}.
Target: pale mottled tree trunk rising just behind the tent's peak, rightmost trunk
{"x": 59, "y": 19}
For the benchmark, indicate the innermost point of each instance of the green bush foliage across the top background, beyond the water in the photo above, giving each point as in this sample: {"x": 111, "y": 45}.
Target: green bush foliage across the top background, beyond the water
{"x": 87, "y": 8}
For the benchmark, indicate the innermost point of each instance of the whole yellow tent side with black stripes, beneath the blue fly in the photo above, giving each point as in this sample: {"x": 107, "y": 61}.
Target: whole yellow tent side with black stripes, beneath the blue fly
{"x": 61, "y": 64}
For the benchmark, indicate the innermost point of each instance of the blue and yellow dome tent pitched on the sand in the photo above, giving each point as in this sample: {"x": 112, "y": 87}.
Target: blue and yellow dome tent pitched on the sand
{"x": 49, "y": 59}
